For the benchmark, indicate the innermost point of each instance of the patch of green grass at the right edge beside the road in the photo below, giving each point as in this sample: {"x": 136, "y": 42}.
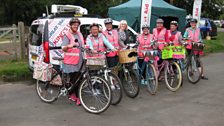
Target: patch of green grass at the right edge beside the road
{"x": 216, "y": 44}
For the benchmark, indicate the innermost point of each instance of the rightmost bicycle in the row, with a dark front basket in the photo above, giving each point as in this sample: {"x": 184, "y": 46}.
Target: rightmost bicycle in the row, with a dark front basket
{"x": 193, "y": 64}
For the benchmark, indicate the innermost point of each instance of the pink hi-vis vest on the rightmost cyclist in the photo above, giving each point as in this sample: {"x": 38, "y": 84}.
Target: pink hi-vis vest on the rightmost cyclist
{"x": 193, "y": 37}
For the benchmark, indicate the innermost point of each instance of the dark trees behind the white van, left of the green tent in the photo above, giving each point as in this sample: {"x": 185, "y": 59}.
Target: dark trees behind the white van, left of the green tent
{"x": 12, "y": 11}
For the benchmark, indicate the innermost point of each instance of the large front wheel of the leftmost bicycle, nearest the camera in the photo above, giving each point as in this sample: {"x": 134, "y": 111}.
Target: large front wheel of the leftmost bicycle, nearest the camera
{"x": 95, "y": 94}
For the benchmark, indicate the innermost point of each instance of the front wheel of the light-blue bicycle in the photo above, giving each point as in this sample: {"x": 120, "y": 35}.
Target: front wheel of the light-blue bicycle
{"x": 151, "y": 78}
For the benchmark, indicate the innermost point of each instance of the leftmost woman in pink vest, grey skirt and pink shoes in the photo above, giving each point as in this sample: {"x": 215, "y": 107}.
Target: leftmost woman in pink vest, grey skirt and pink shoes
{"x": 72, "y": 56}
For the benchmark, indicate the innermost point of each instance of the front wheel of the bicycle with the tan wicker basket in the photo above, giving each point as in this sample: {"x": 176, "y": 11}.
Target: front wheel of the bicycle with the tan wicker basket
{"x": 130, "y": 82}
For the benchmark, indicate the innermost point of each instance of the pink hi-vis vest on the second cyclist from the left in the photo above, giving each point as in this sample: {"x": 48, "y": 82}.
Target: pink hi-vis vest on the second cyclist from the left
{"x": 97, "y": 46}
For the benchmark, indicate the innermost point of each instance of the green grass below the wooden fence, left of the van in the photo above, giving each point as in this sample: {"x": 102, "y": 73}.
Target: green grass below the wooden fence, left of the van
{"x": 14, "y": 71}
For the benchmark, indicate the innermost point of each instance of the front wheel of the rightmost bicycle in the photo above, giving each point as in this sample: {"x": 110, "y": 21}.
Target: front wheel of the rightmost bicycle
{"x": 193, "y": 72}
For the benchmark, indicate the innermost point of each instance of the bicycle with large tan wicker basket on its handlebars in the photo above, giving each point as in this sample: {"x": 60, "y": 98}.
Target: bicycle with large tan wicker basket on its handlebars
{"x": 126, "y": 72}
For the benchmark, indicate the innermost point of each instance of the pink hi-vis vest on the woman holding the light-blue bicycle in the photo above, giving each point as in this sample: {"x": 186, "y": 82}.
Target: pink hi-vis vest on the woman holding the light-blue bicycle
{"x": 143, "y": 42}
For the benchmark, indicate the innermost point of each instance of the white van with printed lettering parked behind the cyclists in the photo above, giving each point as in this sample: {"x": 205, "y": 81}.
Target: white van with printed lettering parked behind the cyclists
{"x": 57, "y": 26}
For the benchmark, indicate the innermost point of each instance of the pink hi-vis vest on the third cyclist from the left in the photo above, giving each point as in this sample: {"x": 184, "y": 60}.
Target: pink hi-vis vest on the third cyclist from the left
{"x": 113, "y": 39}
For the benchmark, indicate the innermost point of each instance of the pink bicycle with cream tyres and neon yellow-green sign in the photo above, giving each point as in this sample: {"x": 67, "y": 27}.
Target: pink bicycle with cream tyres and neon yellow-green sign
{"x": 172, "y": 72}
